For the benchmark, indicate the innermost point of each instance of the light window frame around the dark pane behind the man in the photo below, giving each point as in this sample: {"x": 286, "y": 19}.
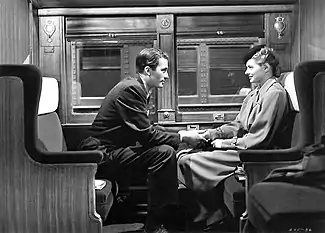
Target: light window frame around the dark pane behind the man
{"x": 86, "y": 111}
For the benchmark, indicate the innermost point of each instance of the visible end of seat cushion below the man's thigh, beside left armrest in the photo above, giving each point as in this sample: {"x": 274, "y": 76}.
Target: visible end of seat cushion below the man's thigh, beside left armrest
{"x": 104, "y": 200}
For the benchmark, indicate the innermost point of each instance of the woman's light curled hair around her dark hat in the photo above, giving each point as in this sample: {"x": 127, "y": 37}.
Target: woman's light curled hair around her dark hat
{"x": 267, "y": 55}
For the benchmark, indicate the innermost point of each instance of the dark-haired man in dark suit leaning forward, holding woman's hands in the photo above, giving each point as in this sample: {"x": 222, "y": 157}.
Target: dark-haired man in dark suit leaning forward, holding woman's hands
{"x": 122, "y": 130}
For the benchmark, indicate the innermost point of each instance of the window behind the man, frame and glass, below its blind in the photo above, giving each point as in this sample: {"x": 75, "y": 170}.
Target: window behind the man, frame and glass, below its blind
{"x": 94, "y": 68}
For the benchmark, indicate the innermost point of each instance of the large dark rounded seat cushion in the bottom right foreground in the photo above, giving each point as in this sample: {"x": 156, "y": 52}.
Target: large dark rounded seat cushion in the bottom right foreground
{"x": 284, "y": 206}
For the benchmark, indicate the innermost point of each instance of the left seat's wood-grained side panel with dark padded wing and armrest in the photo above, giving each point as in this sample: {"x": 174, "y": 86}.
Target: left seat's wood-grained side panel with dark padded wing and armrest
{"x": 40, "y": 191}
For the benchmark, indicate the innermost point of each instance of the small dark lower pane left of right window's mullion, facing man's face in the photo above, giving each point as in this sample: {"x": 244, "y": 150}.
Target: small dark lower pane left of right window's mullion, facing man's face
{"x": 187, "y": 83}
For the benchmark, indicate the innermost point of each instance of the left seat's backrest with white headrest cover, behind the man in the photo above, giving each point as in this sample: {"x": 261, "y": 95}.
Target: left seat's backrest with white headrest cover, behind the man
{"x": 49, "y": 126}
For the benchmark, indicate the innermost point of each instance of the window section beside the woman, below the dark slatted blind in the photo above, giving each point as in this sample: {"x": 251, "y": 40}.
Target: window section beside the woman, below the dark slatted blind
{"x": 211, "y": 79}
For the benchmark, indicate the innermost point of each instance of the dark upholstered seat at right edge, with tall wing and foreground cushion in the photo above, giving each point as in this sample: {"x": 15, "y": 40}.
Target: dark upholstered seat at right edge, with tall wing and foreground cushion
{"x": 293, "y": 205}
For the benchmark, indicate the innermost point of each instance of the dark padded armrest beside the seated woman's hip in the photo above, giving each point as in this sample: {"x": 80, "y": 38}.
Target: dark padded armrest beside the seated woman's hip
{"x": 291, "y": 154}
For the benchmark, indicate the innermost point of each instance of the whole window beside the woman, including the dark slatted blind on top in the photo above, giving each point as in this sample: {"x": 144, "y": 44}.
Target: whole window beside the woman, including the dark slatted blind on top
{"x": 210, "y": 73}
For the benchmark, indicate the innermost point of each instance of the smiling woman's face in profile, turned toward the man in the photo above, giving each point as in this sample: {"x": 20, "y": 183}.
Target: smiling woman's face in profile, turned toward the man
{"x": 255, "y": 72}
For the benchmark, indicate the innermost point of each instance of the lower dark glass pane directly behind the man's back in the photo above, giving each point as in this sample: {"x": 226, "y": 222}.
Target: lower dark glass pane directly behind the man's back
{"x": 96, "y": 83}
